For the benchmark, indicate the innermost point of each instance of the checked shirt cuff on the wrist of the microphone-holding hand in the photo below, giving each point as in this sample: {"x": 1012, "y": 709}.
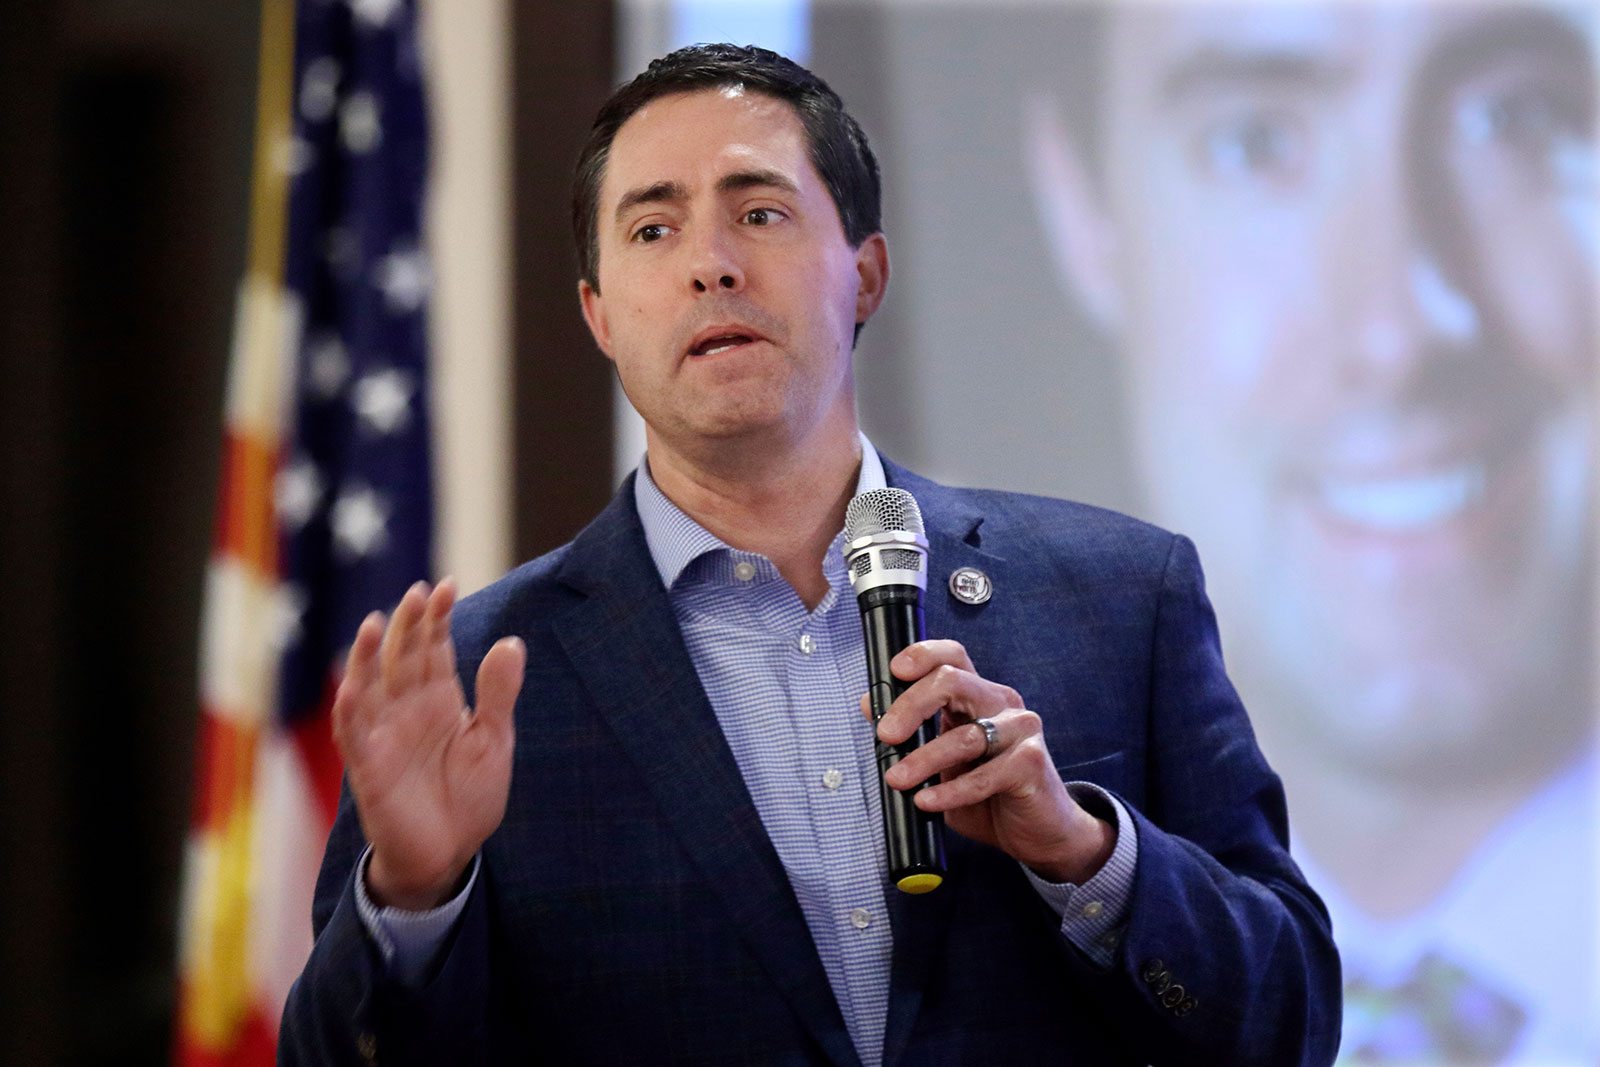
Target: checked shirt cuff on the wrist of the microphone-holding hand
{"x": 1094, "y": 914}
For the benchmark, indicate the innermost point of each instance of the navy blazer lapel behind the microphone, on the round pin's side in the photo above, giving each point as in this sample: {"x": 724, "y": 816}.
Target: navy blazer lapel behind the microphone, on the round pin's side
{"x": 921, "y": 922}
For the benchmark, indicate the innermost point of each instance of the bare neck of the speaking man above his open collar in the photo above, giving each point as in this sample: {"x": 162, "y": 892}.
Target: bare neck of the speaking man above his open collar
{"x": 782, "y": 503}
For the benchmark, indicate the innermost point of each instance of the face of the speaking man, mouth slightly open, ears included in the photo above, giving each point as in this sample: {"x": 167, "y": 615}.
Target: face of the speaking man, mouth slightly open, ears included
{"x": 729, "y": 295}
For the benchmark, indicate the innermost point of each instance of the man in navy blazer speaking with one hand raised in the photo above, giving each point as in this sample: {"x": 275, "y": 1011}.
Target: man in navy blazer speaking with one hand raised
{"x": 644, "y": 821}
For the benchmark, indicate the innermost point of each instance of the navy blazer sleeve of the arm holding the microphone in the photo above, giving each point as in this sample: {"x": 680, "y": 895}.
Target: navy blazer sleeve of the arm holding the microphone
{"x": 1228, "y": 954}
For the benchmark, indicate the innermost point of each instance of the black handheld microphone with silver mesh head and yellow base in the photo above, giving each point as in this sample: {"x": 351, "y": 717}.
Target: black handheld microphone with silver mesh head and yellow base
{"x": 887, "y": 554}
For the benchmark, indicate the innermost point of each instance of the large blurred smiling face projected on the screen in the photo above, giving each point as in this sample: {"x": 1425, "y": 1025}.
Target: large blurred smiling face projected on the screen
{"x": 1353, "y": 266}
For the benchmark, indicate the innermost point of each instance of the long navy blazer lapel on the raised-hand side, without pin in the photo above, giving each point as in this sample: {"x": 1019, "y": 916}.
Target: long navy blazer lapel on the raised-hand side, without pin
{"x": 626, "y": 647}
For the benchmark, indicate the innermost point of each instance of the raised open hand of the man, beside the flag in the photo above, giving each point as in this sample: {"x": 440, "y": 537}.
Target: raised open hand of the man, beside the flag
{"x": 430, "y": 775}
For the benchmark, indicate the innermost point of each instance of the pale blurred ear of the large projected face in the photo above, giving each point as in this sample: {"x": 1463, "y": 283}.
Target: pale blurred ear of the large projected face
{"x": 1081, "y": 234}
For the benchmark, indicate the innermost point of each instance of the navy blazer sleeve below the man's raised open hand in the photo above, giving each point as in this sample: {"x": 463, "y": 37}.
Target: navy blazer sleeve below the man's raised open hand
{"x": 343, "y": 1010}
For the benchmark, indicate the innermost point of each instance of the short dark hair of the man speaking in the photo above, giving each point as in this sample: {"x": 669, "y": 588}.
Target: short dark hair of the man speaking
{"x": 838, "y": 146}
